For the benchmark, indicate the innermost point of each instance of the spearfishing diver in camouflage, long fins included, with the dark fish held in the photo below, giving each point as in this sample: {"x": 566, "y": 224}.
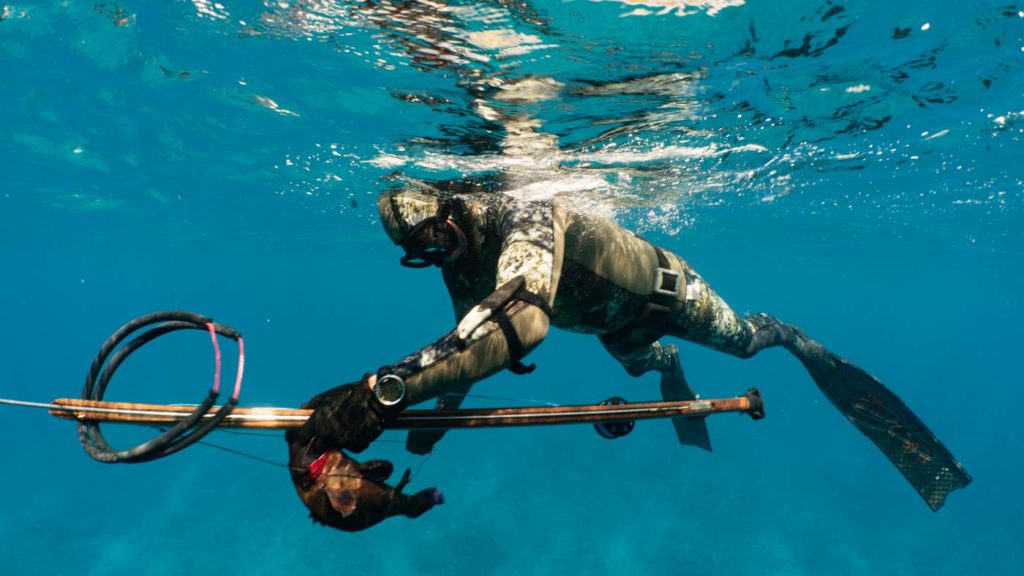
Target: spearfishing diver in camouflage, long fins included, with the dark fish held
{"x": 515, "y": 268}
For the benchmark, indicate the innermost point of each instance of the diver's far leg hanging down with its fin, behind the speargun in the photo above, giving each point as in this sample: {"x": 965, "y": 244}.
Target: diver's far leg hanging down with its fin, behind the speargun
{"x": 638, "y": 360}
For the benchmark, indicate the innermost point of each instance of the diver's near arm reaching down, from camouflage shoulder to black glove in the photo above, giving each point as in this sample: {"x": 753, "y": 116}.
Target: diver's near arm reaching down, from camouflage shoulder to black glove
{"x": 494, "y": 336}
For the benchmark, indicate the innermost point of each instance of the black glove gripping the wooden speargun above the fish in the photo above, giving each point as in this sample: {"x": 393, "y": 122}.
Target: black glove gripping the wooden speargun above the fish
{"x": 346, "y": 418}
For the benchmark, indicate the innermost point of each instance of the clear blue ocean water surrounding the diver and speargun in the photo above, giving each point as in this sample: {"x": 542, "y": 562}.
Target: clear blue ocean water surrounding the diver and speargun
{"x": 852, "y": 168}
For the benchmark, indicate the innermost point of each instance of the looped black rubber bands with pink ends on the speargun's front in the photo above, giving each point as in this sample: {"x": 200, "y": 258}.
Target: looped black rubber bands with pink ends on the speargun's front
{"x": 184, "y": 434}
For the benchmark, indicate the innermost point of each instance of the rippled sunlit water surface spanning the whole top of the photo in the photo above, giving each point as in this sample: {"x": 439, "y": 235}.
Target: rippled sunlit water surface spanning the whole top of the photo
{"x": 633, "y": 105}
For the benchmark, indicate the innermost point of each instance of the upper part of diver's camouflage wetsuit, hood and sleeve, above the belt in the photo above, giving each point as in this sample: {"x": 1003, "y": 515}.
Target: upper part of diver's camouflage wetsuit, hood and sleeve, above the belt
{"x": 595, "y": 276}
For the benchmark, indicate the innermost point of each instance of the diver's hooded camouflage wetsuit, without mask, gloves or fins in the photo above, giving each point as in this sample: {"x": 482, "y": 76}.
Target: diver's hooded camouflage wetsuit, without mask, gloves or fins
{"x": 598, "y": 278}
